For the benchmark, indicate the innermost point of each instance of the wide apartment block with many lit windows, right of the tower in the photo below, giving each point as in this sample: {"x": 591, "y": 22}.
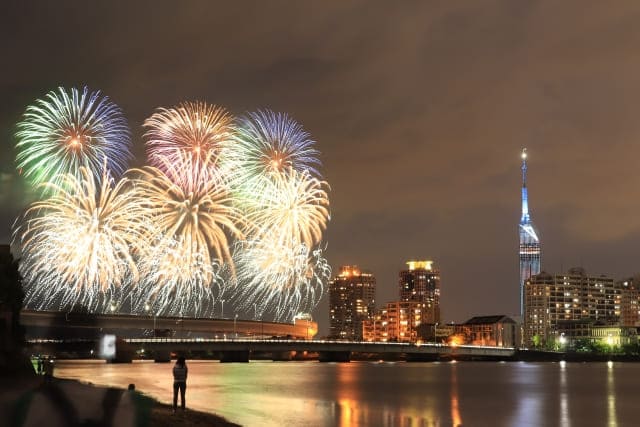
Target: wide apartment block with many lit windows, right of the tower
{"x": 551, "y": 300}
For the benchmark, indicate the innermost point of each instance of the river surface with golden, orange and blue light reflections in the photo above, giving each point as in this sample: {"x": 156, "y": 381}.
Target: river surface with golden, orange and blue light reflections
{"x": 390, "y": 394}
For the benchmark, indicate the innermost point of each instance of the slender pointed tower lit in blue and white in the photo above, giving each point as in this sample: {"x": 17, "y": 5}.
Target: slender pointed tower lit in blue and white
{"x": 529, "y": 241}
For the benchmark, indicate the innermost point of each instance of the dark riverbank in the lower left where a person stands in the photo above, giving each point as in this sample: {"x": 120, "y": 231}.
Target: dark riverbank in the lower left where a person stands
{"x": 29, "y": 401}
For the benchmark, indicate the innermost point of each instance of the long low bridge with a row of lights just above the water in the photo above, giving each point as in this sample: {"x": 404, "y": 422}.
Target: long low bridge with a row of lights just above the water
{"x": 244, "y": 349}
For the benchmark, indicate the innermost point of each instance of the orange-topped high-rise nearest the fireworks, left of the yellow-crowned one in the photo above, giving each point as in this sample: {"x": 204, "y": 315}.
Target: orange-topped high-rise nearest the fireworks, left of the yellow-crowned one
{"x": 351, "y": 301}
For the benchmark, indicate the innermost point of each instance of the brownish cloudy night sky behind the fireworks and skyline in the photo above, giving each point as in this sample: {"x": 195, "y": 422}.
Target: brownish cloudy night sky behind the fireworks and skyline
{"x": 420, "y": 110}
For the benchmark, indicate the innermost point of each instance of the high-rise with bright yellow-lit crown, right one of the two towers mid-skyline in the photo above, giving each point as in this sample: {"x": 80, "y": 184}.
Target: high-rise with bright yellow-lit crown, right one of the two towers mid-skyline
{"x": 421, "y": 283}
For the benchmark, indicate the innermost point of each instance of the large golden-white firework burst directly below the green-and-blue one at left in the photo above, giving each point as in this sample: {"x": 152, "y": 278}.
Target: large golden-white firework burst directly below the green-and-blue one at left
{"x": 79, "y": 244}
